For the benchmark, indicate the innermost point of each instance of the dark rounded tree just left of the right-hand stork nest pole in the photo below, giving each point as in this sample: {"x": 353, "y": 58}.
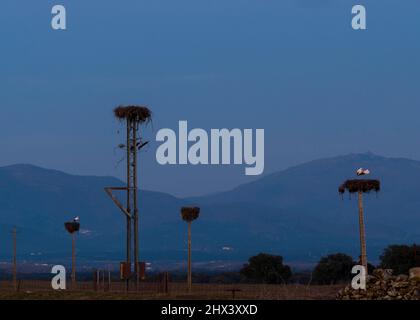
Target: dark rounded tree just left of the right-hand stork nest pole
{"x": 333, "y": 268}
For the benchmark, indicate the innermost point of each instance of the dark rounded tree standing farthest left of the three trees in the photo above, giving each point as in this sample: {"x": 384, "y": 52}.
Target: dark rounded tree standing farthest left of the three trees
{"x": 266, "y": 268}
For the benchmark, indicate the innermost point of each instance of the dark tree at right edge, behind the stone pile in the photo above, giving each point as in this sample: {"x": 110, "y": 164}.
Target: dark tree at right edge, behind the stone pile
{"x": 401, "y": 258}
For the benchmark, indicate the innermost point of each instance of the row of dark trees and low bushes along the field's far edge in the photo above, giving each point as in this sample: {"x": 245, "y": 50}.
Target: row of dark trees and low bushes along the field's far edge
{"x": 331, "y": 269}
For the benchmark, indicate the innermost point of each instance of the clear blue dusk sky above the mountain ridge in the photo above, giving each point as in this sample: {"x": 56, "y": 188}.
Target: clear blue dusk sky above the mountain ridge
{"x": 294, "y": 68}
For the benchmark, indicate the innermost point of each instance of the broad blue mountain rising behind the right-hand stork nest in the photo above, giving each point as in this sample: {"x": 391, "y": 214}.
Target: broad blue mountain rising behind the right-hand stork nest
{"x": 299, "y": 212}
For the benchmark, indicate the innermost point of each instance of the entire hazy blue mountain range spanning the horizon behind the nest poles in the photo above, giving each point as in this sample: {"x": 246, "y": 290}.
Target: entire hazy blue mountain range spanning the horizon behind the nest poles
{"x": 297, "y": 213}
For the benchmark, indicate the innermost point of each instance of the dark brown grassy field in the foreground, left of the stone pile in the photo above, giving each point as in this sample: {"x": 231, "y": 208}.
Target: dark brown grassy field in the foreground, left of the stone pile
{"x": 34, "y": 290}
